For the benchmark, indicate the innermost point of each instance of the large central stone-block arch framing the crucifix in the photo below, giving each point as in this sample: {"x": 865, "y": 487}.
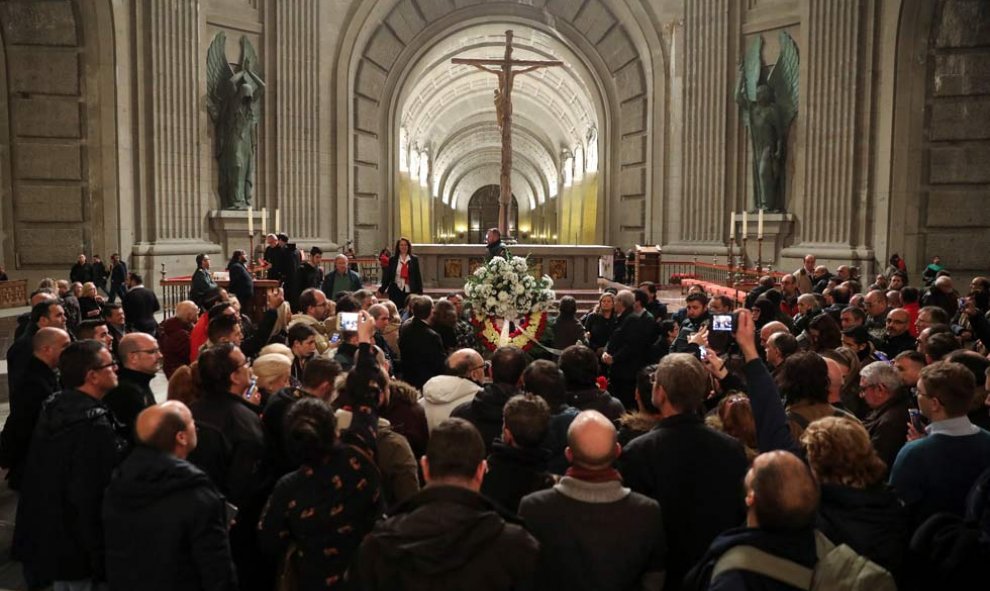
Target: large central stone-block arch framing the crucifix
{"x": 383, "y": 40}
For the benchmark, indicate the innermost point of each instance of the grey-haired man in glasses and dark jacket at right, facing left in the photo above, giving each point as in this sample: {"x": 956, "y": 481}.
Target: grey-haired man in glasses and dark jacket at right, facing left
{"x": 880, "y": 386}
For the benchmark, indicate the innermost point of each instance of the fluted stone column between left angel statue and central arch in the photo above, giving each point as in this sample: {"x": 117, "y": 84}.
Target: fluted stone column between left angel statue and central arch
{"x": 295, "y": 105}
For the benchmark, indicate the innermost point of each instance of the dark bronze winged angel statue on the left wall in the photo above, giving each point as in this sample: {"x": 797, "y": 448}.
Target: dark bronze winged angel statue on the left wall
{"x": 234, "y": 103}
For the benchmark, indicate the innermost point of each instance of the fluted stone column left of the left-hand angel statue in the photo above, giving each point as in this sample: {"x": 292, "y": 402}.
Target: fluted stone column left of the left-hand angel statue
{"x": 172, "y": 141}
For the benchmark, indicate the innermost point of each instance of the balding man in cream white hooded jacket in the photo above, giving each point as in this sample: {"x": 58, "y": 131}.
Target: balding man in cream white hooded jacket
{"x": 442, "y": 394}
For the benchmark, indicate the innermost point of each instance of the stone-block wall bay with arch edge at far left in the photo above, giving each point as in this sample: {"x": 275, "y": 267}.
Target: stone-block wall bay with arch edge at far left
{"x": 59, "y": 157}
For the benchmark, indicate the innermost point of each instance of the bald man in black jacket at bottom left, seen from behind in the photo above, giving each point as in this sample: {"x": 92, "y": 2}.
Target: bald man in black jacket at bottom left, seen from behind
{"x": 164, "y": 520}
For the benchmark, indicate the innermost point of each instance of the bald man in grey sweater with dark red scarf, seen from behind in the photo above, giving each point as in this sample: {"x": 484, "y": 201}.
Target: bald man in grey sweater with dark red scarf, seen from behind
{"x": 595, "y": 533}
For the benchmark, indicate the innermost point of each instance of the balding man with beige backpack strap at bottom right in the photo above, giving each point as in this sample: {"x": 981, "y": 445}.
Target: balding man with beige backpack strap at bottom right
{"x": 781, "y": 505}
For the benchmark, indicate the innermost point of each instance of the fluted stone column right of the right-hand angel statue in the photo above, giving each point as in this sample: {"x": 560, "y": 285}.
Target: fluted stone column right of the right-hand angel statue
{"x": 835, "y": 71}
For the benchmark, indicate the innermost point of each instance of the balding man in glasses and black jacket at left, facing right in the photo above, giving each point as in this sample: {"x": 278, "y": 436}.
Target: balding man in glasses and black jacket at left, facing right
{"x": 140, "y": 358}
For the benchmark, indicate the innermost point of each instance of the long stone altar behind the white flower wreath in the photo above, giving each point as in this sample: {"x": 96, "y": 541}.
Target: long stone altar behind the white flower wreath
{"x": 570, "y": 266}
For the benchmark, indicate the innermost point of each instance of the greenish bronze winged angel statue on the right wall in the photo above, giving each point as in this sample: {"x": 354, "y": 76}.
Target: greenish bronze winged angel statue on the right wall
{"x": 768, "y": 104}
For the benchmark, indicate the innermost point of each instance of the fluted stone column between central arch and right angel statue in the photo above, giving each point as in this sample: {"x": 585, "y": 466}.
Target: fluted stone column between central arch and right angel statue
{"x": 711, "y": 32}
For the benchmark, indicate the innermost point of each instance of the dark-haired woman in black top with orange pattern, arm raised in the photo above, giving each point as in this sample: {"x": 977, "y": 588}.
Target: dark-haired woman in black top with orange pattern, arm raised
{"x": 317, "y": 516}
